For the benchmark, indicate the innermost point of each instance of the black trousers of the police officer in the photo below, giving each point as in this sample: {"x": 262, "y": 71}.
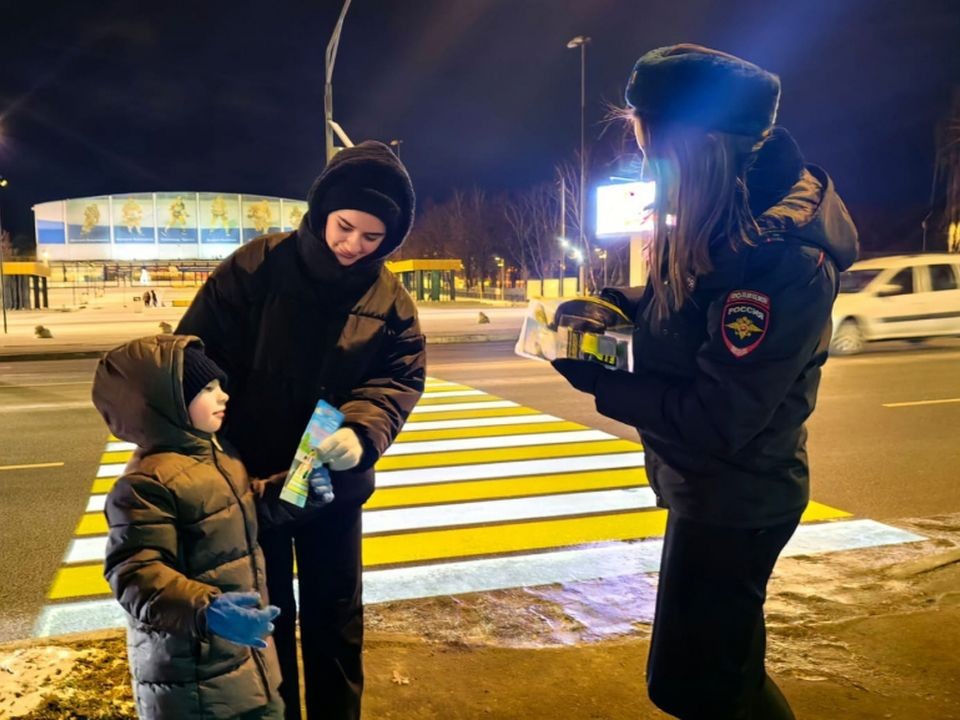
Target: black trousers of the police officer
{"x": 709, "y": 638}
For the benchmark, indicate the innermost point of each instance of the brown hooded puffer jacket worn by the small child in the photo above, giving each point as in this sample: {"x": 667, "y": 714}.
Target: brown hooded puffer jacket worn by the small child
{"x": 182, "y": 531}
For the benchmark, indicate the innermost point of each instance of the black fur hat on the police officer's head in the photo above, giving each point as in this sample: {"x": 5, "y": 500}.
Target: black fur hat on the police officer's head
{"x": 695, "y": 85}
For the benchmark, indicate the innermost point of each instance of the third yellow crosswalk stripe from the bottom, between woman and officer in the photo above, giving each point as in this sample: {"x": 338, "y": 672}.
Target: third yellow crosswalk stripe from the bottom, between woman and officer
{"x": 474, "y": 457}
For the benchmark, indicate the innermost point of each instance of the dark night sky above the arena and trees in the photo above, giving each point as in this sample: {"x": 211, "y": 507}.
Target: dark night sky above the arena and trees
{"x": 113, "y": 97}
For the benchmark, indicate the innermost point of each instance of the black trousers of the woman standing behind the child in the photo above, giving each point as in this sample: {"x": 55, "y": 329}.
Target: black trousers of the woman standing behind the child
{"x": 331, "y": 612}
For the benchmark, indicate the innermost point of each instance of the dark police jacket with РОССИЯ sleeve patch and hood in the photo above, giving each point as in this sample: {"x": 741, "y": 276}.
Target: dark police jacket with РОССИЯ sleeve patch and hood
{"x": 721, "y": 388}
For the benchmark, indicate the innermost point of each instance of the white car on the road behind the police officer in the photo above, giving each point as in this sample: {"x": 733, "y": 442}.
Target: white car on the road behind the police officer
{"x": 905, "y": 297}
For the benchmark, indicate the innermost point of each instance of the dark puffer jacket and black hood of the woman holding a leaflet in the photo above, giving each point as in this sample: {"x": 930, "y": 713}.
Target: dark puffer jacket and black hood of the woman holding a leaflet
{"x": 290, "y": 325}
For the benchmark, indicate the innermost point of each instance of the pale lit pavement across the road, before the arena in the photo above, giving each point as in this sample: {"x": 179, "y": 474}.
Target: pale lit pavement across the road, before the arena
{"x": 88, "y": 331}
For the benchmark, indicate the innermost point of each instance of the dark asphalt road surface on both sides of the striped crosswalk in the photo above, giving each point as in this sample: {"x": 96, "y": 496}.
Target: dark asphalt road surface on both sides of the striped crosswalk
{"x": 883, "y": 443}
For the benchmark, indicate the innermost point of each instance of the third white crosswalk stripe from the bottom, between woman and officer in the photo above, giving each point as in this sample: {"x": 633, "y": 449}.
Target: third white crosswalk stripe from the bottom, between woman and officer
{"x": 486, "y": 471}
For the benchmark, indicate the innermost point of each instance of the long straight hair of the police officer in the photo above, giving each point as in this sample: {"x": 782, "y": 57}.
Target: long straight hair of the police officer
{"x": 701, "y": 200}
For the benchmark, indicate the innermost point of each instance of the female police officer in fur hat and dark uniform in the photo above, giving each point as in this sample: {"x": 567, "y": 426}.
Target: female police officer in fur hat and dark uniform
{"x": 731, "y": 332}
